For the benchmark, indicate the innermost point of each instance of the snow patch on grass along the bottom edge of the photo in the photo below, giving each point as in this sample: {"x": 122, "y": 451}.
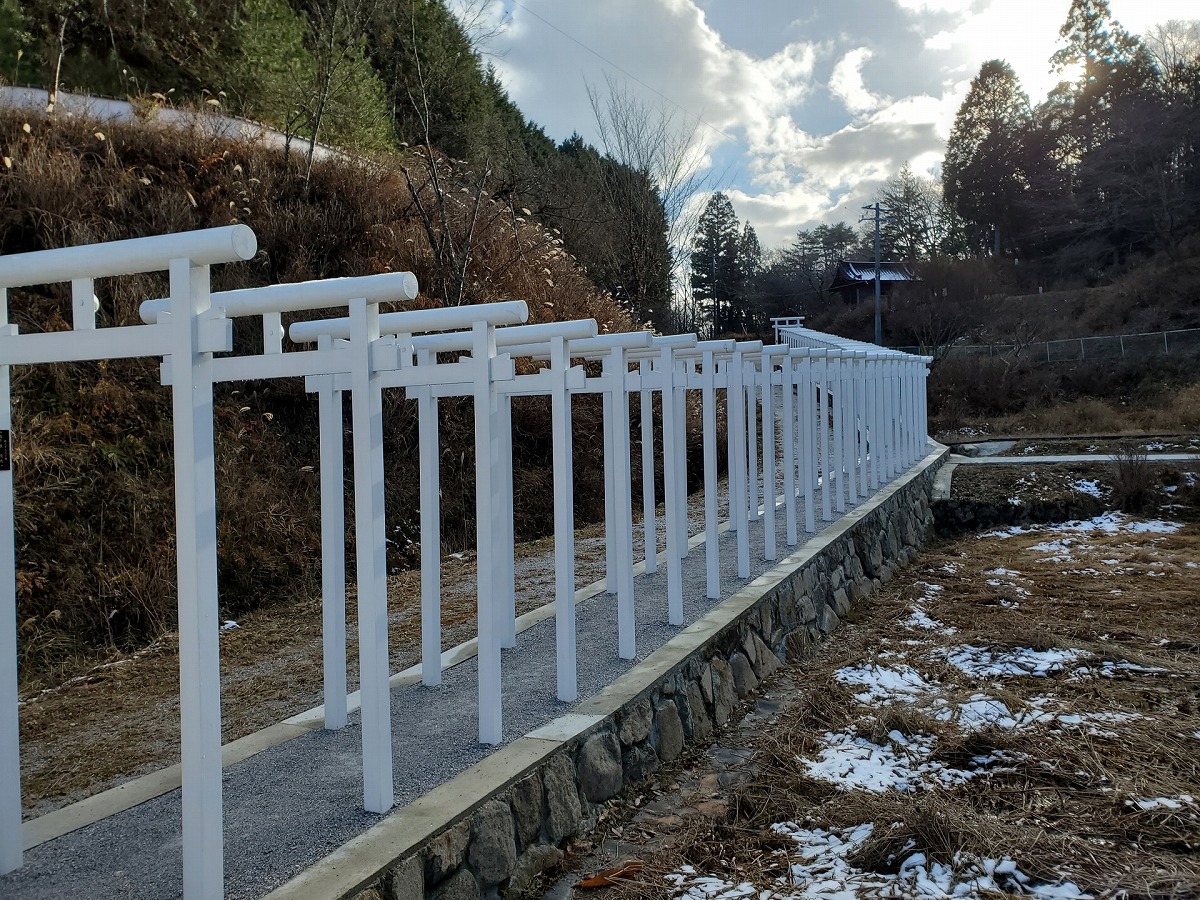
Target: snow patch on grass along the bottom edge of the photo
{"x": 825, "y": 872}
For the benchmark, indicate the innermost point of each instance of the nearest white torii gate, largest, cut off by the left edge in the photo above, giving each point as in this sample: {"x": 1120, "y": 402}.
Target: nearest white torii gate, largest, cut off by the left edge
{"x": 189, "y": 341}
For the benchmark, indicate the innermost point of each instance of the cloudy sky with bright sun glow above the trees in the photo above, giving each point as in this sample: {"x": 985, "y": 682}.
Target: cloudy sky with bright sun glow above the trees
{"x": 802, "y": 109}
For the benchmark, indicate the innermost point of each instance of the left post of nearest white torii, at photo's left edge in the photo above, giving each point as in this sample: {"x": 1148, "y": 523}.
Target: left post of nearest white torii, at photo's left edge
{"x": 11, "y": 844}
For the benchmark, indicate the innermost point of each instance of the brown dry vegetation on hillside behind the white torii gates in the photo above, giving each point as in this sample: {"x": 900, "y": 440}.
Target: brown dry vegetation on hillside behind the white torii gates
{"x": 93, "y": 459}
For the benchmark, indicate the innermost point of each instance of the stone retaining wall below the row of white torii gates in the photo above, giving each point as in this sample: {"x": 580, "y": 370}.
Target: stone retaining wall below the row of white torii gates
{"x": 518, "y": 832}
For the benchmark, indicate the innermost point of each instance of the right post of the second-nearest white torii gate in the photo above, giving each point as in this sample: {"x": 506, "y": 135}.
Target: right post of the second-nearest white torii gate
{"x": 371, "y": 560}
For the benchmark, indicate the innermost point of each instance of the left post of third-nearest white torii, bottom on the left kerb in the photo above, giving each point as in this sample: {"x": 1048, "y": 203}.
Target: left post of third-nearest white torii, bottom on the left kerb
{"x": 333, "y": 547}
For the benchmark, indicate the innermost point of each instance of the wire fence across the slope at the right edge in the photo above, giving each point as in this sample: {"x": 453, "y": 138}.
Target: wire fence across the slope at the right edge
{"x": 1185, "y": 343}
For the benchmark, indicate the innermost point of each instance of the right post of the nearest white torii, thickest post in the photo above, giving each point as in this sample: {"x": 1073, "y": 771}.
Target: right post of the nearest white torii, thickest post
{"x": 196, "y": 523}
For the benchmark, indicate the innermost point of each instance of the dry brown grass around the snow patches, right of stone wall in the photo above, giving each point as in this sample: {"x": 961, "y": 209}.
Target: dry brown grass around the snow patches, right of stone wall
{"x": 1064, "y": 801}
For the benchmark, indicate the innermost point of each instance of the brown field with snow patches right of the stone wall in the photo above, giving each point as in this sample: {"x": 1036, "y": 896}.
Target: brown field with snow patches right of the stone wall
{"x": 1018, "y": 713}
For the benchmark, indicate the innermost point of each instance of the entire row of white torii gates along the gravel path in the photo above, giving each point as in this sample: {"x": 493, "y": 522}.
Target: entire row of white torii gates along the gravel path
{"x": 871, "y": 400}
